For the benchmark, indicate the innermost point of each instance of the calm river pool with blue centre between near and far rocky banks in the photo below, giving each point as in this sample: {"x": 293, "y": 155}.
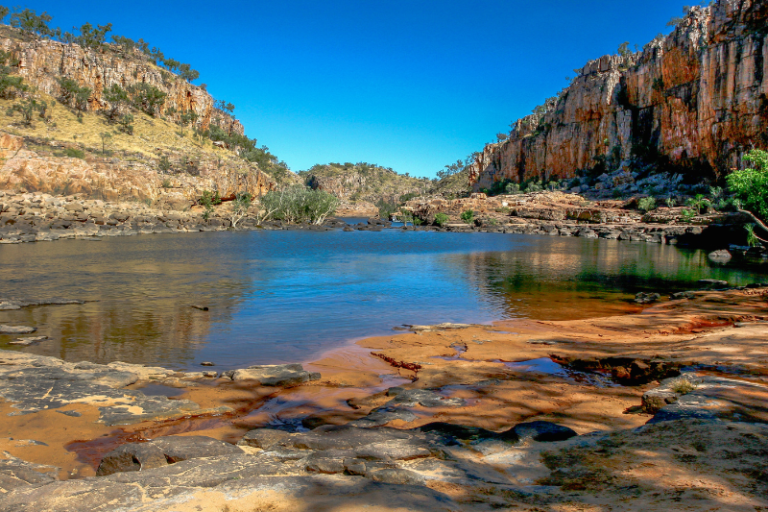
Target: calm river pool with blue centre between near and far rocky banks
{"x": 282, "y": 296}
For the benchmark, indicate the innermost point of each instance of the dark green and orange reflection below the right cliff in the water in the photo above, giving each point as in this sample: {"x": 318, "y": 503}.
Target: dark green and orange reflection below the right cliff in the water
{"x": 553, "y": 279}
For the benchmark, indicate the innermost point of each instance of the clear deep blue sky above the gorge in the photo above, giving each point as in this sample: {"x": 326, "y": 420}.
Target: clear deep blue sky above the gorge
{"x": 407, "y": 84}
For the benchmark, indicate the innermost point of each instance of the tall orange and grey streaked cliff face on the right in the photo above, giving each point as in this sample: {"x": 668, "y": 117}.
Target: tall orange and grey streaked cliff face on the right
{"x": 693, "y": 102}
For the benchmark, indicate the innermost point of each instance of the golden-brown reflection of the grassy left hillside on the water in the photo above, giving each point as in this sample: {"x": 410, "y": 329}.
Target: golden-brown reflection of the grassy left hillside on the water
{"x": 139, "y": 307}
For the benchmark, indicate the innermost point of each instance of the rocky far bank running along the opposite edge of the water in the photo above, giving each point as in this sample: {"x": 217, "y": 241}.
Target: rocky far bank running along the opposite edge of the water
{"x": 32, "y": 217}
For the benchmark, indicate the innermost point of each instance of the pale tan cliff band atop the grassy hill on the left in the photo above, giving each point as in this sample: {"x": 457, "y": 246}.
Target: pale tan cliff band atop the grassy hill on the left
{"x": 43, "y": 62}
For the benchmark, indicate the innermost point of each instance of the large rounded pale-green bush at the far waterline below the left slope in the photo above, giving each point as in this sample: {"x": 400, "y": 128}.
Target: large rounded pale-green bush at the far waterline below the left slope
{"x": 296, "y": 204}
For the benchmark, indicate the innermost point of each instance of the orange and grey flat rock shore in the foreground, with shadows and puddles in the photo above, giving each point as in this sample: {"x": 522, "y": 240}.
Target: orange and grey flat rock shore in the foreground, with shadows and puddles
{"x": 652, "y": 411}
